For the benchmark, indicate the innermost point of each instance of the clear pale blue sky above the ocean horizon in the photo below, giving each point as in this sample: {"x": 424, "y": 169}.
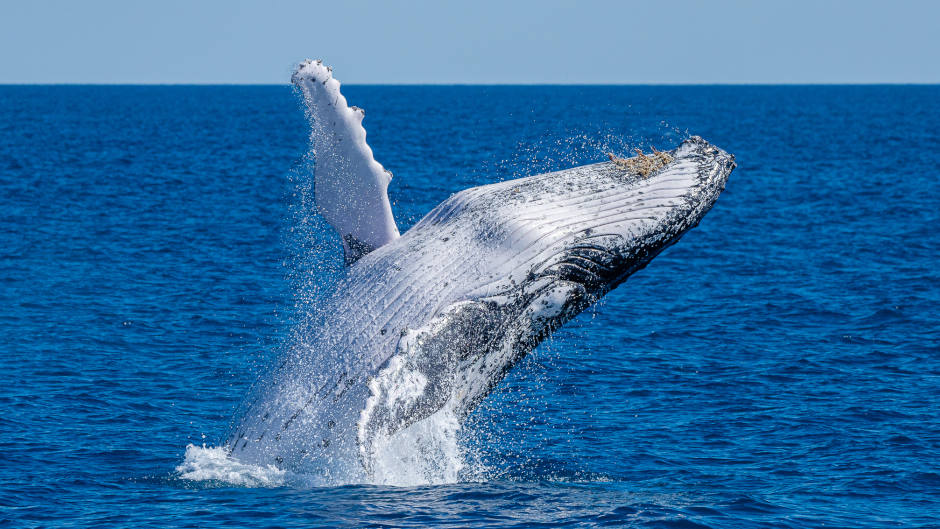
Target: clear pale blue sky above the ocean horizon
{"x": 483, "y": 41}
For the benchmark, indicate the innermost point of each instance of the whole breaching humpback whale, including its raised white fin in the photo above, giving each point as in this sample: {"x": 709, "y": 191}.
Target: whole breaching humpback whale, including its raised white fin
{"x": 425, "y": 324}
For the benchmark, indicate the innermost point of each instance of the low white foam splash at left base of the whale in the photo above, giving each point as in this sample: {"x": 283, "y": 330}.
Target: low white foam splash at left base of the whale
{"x": 213, "y": 464}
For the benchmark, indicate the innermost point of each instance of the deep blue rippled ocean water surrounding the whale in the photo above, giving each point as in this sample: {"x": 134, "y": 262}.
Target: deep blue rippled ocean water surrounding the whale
{"x": 778, "y": 367}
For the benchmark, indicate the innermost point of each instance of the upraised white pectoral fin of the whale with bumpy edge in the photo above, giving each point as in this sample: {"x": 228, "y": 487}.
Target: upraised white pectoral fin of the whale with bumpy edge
{"x": 351, "y": 187}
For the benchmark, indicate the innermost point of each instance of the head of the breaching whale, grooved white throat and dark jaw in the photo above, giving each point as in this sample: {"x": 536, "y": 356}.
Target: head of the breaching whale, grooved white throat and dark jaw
{"x": 591, "y": 226}
